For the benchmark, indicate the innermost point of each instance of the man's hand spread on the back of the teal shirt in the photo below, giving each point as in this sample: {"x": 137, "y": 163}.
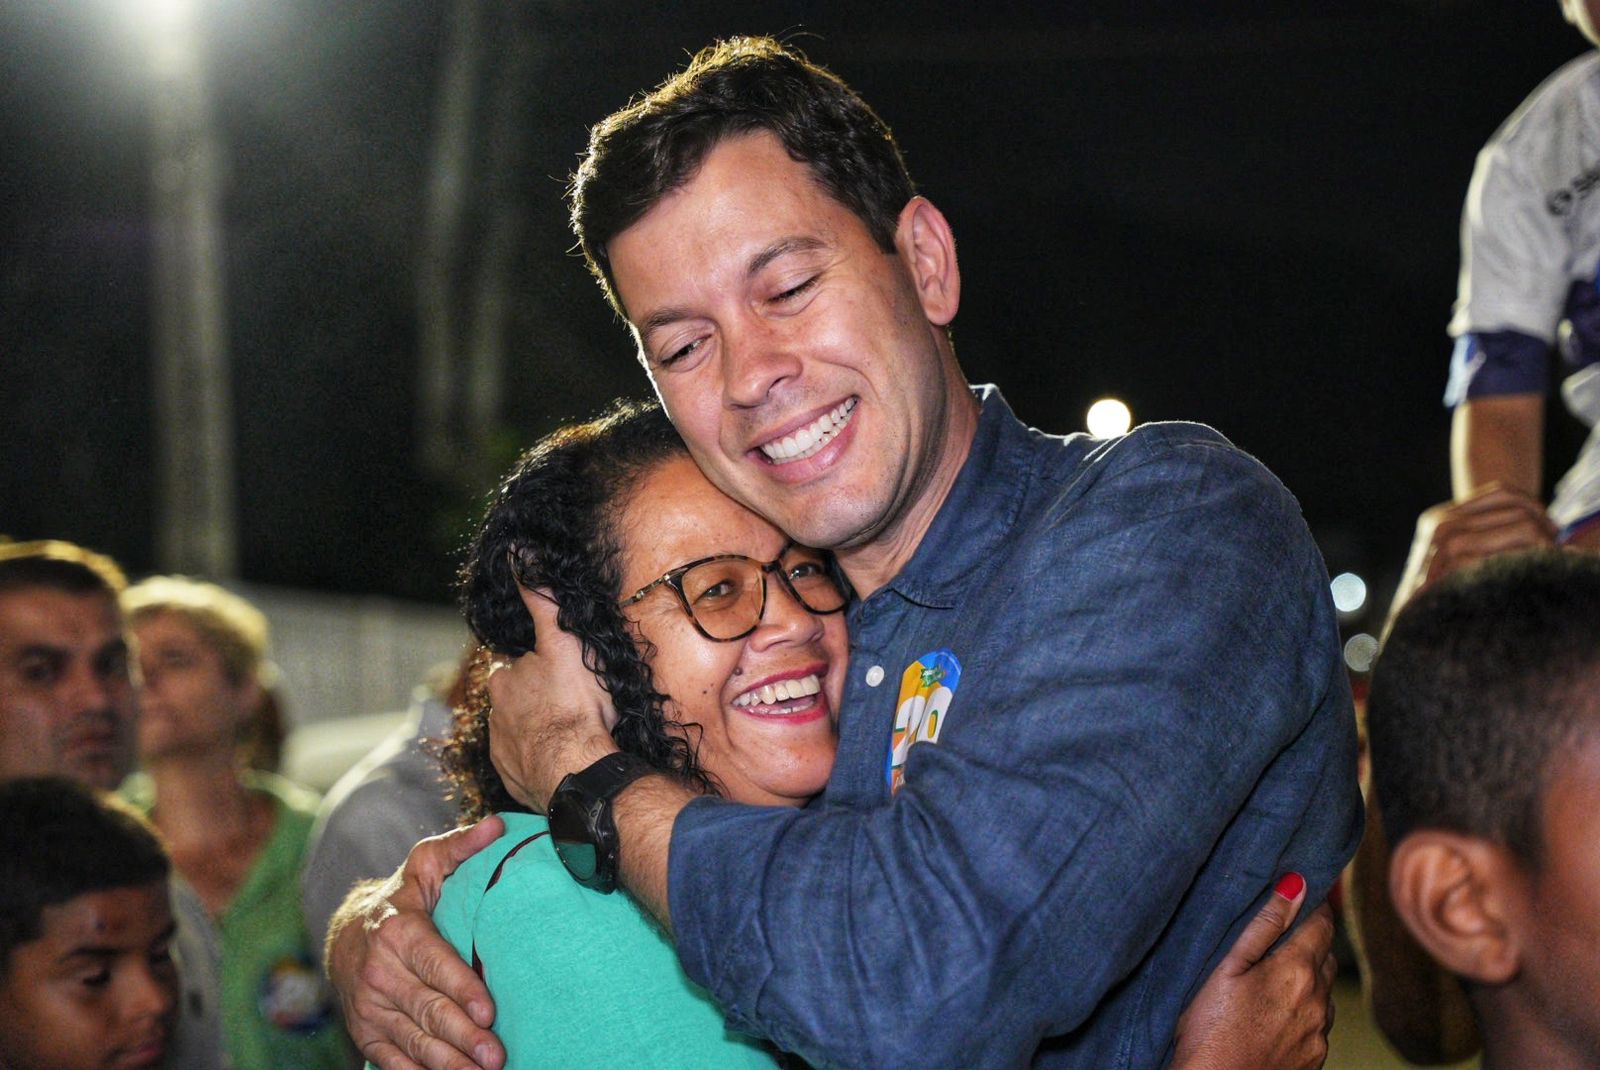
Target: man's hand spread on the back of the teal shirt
{"x": 402, "y": 986}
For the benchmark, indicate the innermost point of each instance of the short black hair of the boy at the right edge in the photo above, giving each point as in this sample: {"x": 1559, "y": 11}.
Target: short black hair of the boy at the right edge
{"x": 1484, "y": 681}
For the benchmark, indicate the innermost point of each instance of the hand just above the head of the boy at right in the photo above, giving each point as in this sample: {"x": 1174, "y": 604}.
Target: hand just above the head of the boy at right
{"x": 1455, "y": 535}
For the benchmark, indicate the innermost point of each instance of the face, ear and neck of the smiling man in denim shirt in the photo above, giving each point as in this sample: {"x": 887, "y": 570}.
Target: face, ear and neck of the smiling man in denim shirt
{"x": 775, "y": 330}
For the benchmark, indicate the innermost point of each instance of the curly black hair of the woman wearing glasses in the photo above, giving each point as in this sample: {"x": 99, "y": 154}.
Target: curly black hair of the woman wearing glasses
{"x": 553, "y": 525}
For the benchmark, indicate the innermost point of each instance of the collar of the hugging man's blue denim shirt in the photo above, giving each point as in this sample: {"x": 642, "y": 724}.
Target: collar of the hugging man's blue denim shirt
{"x": 978, "y": 514}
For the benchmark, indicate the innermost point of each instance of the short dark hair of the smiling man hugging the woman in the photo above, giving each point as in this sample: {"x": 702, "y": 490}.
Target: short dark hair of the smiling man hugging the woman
{"x": 735, "y": 87}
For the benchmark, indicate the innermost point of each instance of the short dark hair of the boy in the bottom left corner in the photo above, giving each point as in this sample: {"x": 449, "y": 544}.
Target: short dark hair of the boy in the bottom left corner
{"x": 62, "y": 840}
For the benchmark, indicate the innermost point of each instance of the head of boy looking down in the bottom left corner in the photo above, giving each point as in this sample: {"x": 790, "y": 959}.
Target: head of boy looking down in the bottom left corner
{"x": 87, "y": 978}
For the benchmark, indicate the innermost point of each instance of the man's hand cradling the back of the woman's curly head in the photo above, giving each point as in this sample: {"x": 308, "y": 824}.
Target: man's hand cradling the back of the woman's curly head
{"x": 550, "y": 714}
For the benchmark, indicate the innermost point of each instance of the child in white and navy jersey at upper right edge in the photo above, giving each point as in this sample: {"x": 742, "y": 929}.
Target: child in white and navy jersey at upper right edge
{"x": 1530, "y": 255}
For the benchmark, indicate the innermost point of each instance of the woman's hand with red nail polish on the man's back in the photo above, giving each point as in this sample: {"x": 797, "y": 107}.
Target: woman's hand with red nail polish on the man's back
{"x": 1266, "y": 1012}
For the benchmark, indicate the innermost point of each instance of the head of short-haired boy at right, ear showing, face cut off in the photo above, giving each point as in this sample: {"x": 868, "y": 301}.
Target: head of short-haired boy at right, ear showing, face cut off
{"x": 1486, "y": 745}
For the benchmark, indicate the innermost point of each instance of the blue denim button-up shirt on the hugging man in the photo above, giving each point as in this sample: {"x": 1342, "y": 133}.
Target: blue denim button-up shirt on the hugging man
{"x": 1151, "y": 725}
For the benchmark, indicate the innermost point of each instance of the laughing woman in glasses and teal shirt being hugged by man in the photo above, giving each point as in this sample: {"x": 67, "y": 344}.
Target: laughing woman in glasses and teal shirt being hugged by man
{"x": 724, "y": 650}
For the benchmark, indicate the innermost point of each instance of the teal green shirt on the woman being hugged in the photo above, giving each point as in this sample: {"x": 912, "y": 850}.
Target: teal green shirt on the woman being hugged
{"x": 580, "y": 980}
